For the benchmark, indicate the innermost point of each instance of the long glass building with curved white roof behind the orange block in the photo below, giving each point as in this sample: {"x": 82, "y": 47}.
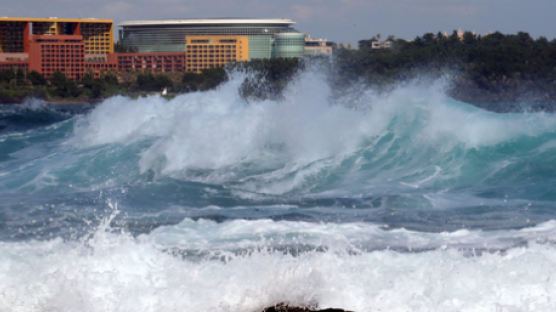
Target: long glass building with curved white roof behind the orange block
{"x": 267, "y": 38}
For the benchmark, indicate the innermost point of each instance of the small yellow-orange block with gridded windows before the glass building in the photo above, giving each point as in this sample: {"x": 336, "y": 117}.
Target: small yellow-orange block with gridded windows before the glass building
{"x": 211, "y": 51}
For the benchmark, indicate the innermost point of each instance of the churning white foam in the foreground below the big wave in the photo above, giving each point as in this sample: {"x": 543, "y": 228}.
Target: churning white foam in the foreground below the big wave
{"x": 115, "y": 272}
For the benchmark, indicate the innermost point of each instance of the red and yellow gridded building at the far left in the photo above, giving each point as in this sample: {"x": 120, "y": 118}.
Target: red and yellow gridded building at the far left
{"x": 47, "y": 45}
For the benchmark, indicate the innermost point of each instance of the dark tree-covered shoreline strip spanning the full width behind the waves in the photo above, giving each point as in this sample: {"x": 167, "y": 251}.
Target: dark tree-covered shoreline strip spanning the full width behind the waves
{"x": 497, "y": 72}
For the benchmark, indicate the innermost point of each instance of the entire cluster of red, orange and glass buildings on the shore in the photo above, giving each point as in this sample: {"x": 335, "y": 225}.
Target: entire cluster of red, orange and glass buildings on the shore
{"x": 76, "y": 47}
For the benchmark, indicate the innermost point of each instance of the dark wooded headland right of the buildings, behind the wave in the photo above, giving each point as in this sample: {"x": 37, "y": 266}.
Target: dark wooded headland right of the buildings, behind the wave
{"x": 494, "y": 67}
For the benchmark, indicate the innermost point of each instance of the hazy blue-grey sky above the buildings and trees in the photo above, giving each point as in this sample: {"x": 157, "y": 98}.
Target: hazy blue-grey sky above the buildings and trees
{"x": 338, "y": 20}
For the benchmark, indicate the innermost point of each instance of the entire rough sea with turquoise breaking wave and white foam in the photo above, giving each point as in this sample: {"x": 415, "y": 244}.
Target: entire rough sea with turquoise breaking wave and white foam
{"x": 368, "y": 201}
